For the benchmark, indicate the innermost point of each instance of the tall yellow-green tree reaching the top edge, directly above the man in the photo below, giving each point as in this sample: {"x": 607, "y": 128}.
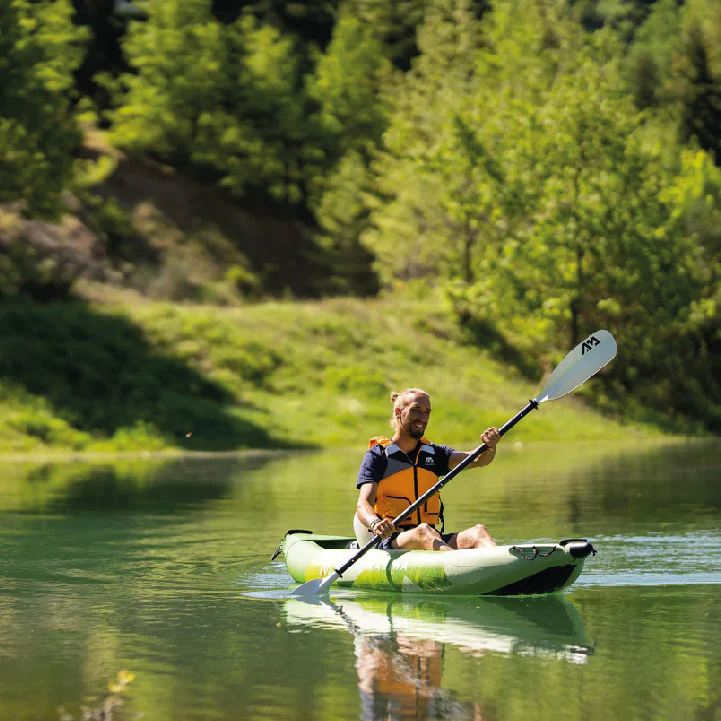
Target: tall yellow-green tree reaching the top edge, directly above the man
{"x": 417, "y": 211}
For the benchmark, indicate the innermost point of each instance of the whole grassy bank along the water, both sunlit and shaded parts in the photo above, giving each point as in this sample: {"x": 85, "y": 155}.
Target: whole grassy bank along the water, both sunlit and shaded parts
{"x": 138, "y": 376}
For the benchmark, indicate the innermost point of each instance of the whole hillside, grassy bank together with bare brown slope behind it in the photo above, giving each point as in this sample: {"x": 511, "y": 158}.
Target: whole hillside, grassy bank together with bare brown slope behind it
{"x": 160, "y": 349}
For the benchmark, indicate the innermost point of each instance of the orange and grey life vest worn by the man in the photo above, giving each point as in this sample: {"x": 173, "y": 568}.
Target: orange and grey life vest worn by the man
{"x": 404, "y": 481}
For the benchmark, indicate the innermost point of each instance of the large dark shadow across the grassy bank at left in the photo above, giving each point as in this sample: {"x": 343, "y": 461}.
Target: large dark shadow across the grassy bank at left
{"x": 100, "y": 374}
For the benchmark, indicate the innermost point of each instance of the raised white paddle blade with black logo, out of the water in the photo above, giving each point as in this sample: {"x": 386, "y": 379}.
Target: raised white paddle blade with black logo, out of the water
{"x": 584, "y": 361}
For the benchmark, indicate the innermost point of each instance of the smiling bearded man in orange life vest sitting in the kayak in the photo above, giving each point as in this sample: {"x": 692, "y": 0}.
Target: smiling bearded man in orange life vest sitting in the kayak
{"x": 396, "y": 471}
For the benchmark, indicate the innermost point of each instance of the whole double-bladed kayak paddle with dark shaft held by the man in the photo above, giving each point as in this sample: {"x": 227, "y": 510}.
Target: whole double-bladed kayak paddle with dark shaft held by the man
{"x": 584, "y": 361}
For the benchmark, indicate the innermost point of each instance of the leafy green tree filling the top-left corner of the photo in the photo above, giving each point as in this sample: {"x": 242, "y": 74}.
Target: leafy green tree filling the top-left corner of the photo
{"x": 39, "y": 50}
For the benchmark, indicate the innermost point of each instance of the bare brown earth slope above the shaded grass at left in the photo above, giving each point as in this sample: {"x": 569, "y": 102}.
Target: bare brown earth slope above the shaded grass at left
{"x": 146, "y": 228}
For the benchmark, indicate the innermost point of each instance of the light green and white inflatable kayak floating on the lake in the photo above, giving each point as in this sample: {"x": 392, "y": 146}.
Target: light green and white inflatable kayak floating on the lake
{"x": 529, "y": 568}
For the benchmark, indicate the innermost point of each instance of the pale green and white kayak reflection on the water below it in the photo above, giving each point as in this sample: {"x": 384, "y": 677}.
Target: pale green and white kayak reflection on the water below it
{"x": 544, "y": 625}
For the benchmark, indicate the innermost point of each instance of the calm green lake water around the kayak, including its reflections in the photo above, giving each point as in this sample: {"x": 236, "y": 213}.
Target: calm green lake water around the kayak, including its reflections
{"x": 161, "y": 568}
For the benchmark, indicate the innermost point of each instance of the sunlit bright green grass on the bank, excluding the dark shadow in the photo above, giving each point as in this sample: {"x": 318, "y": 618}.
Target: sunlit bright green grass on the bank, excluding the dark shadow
{"x": 298, "y": 374}
